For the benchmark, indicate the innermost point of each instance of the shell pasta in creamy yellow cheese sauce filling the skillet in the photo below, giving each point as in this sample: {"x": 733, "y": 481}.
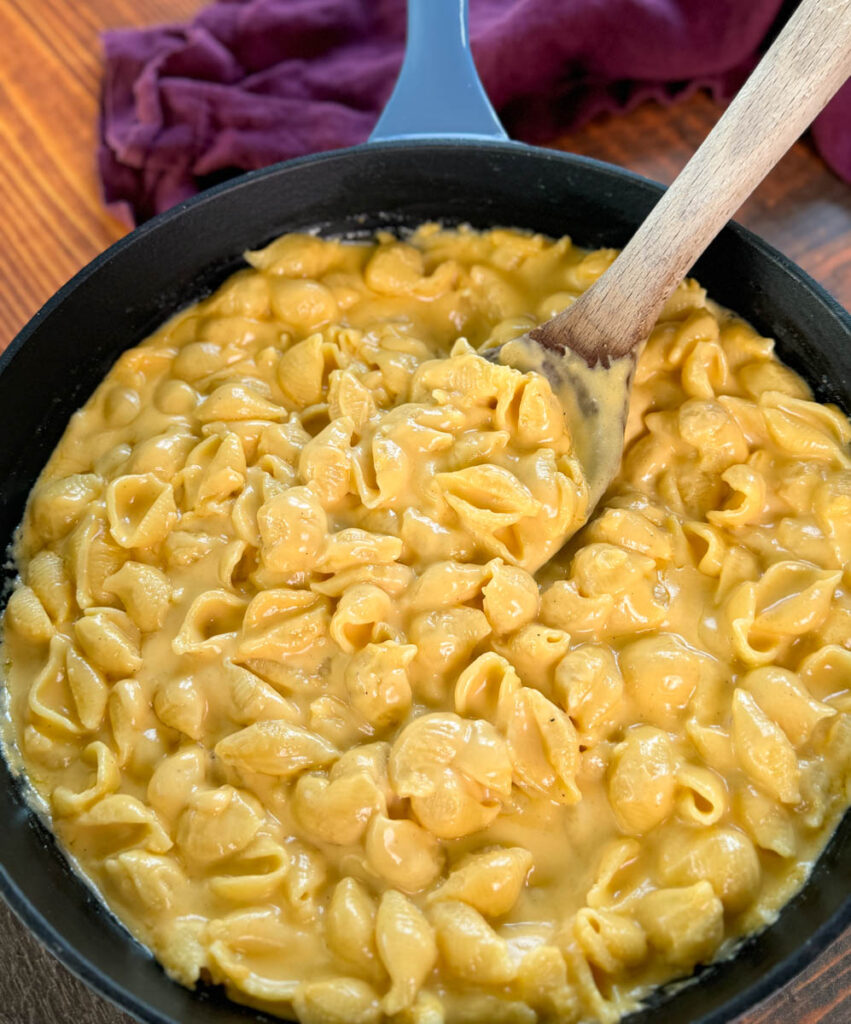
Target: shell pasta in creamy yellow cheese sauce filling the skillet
{"x": 279, "y": 673}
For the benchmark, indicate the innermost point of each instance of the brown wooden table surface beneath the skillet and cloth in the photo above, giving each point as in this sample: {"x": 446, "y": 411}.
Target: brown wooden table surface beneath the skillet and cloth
{"x": 53, "y": 223}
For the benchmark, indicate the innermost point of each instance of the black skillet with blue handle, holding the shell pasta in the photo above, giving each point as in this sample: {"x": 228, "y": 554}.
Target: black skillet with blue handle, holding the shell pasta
{"x": 457, "y": 166}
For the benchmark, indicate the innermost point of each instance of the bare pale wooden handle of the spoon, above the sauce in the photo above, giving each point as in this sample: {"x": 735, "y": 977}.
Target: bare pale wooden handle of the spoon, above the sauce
{"x": 807, "y": 64}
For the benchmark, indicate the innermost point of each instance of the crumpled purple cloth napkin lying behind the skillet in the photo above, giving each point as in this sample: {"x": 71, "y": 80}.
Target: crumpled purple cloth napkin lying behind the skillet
{"x": 251, "y": 82}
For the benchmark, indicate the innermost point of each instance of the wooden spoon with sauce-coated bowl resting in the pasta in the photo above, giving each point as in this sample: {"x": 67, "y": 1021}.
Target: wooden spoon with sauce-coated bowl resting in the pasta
{"x": 588, "y": 352}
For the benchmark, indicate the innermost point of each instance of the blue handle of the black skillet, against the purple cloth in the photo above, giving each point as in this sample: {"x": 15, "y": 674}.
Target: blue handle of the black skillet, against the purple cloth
{"x": 439, "y": 92}
